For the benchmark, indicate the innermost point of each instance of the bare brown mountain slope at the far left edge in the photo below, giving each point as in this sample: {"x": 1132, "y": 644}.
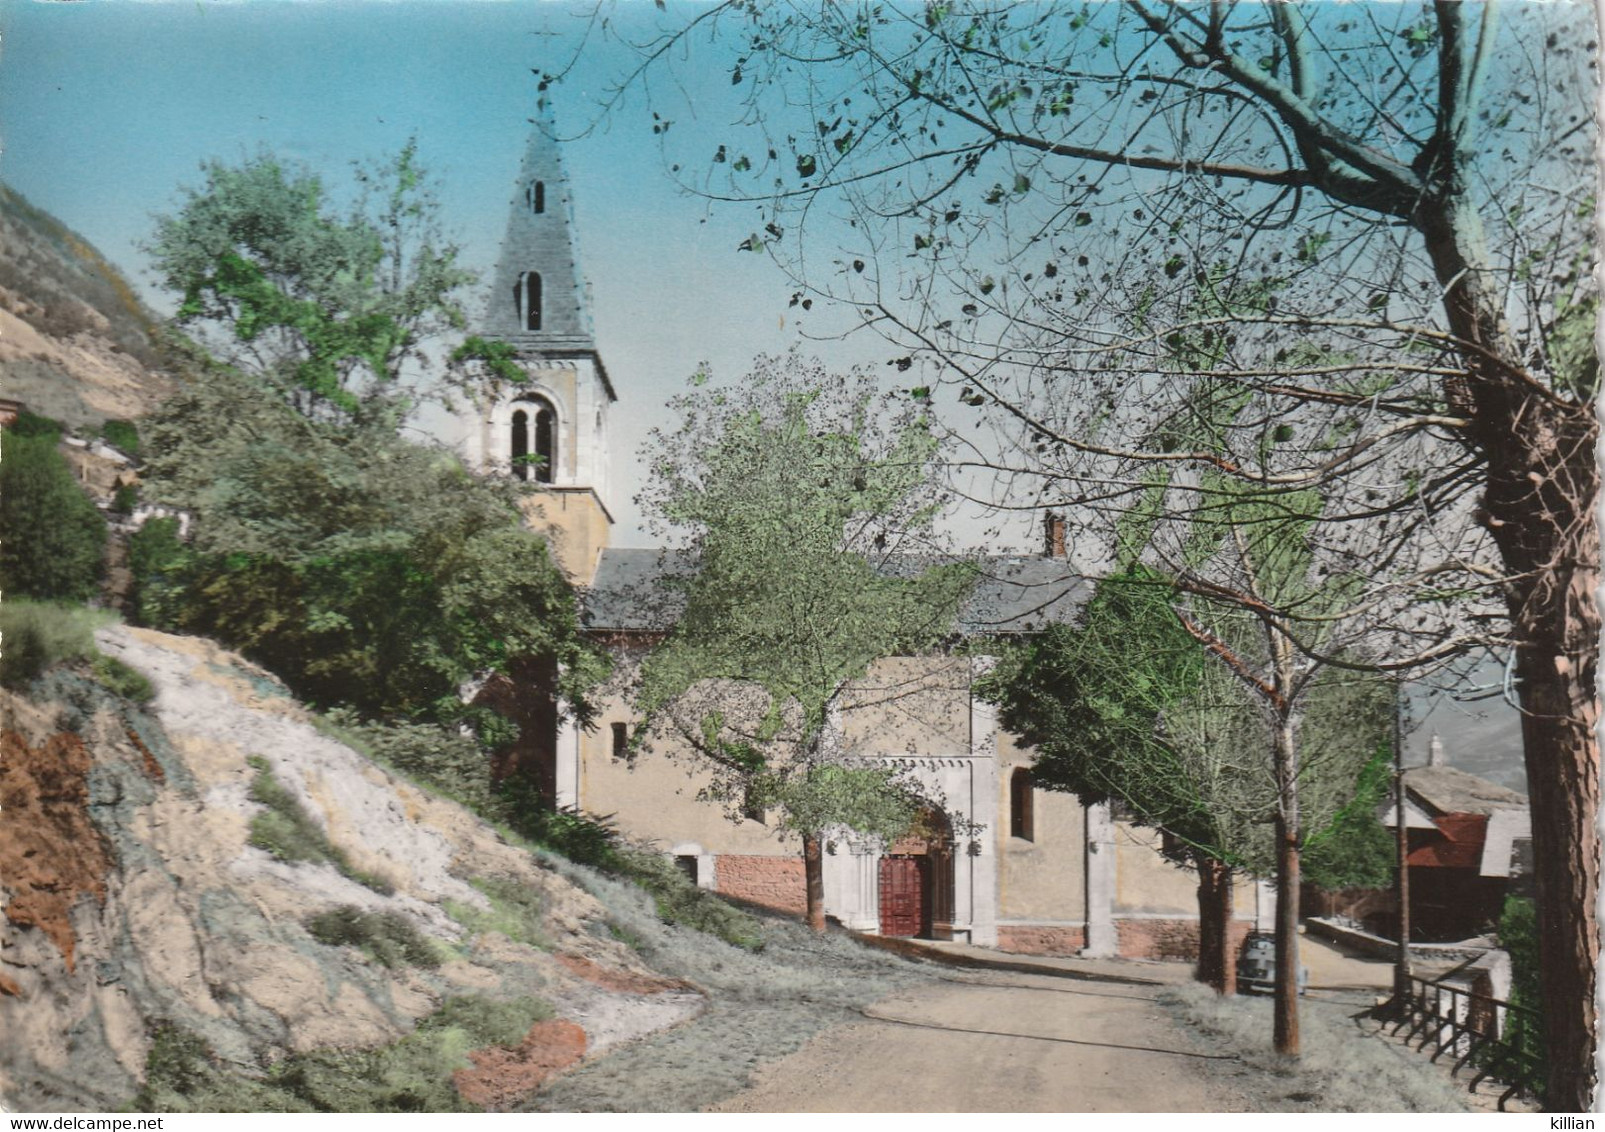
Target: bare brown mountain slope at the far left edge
{"x": 76, "y": 343}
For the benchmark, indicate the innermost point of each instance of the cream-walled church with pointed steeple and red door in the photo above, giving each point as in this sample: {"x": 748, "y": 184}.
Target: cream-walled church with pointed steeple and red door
{"x": 1004, "y": 863}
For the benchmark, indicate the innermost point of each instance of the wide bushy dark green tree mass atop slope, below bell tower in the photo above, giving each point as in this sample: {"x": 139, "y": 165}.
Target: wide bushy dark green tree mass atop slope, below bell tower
{"x": 364, "y": 569}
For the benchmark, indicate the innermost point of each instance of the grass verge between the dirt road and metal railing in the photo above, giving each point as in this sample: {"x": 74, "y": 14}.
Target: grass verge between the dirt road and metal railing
{"x": 1344, "y": 1067}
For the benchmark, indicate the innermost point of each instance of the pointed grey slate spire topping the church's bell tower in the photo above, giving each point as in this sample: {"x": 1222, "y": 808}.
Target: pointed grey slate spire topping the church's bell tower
{"x": 538, "y": 296}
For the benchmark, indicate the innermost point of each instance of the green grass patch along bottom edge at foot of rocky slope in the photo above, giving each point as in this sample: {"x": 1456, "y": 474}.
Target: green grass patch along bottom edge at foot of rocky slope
{"x": 412, "y": 1075}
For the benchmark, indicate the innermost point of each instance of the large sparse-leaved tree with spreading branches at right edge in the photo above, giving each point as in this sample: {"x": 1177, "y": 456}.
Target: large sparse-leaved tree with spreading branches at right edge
{"x": 1375, "y": 219}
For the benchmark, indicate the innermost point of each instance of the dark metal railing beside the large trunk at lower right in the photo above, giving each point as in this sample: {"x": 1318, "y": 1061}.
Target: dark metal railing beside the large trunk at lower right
{"x": 1493, "y": 1038}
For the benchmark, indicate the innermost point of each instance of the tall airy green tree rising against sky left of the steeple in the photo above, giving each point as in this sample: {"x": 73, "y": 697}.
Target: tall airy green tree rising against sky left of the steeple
{"x": 325, "y": 307}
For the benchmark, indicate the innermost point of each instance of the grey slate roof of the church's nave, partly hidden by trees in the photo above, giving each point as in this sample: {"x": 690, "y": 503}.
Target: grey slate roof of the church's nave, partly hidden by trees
{"x": 1014, "y": 595}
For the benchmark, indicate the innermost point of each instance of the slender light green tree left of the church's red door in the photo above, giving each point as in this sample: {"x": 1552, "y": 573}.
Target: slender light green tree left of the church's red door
{"x": 795, "y": 489}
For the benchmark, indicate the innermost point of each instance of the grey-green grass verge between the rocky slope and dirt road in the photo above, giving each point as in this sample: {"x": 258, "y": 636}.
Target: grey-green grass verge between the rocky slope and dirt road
{"x": 762, "y": 1004}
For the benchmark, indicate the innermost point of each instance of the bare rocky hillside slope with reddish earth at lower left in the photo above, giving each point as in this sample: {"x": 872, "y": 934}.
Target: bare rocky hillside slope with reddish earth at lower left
{"x": 211, "y": 903}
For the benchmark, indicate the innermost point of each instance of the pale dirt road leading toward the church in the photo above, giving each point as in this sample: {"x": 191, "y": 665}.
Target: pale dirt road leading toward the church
{"x": 998, "y": 1041}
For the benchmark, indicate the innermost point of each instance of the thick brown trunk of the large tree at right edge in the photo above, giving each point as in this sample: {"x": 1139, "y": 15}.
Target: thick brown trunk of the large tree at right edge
{"x": 1538, "y": 505}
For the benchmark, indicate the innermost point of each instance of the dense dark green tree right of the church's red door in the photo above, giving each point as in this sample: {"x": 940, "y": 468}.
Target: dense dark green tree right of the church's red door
{"x": 1129, "y": 706}
